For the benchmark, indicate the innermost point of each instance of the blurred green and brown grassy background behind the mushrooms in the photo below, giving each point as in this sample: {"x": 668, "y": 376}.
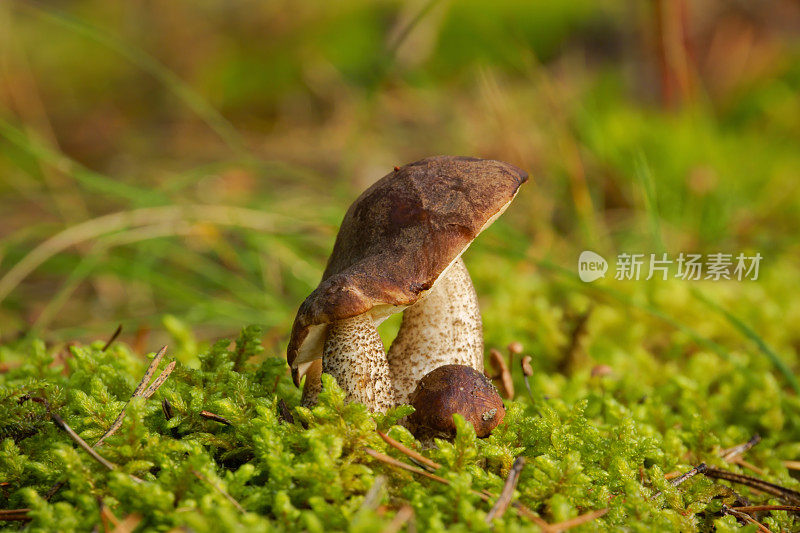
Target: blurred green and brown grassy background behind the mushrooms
{"x": 181, "y": 168}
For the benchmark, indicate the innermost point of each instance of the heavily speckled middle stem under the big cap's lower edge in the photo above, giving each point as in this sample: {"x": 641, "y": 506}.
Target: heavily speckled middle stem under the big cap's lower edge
{"x": 353, "y": 354}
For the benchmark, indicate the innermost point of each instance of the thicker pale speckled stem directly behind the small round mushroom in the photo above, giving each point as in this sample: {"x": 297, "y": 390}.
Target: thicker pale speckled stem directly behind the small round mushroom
{"x": 442, "y": 328}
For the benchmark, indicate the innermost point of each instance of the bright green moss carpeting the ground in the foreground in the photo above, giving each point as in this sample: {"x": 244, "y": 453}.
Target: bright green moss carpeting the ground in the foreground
{"x": 601, "y": 444}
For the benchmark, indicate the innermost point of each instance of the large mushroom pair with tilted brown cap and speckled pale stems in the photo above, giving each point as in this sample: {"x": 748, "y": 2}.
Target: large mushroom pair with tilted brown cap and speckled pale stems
{"x": 399, "y": 249}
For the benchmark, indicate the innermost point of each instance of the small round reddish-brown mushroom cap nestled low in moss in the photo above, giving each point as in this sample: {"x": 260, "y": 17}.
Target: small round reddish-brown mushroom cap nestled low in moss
{"x": 455, "y": 389}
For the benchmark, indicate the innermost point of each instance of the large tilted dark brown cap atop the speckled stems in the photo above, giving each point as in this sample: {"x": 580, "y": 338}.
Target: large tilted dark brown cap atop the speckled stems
{"x": 396, "y": 240}
